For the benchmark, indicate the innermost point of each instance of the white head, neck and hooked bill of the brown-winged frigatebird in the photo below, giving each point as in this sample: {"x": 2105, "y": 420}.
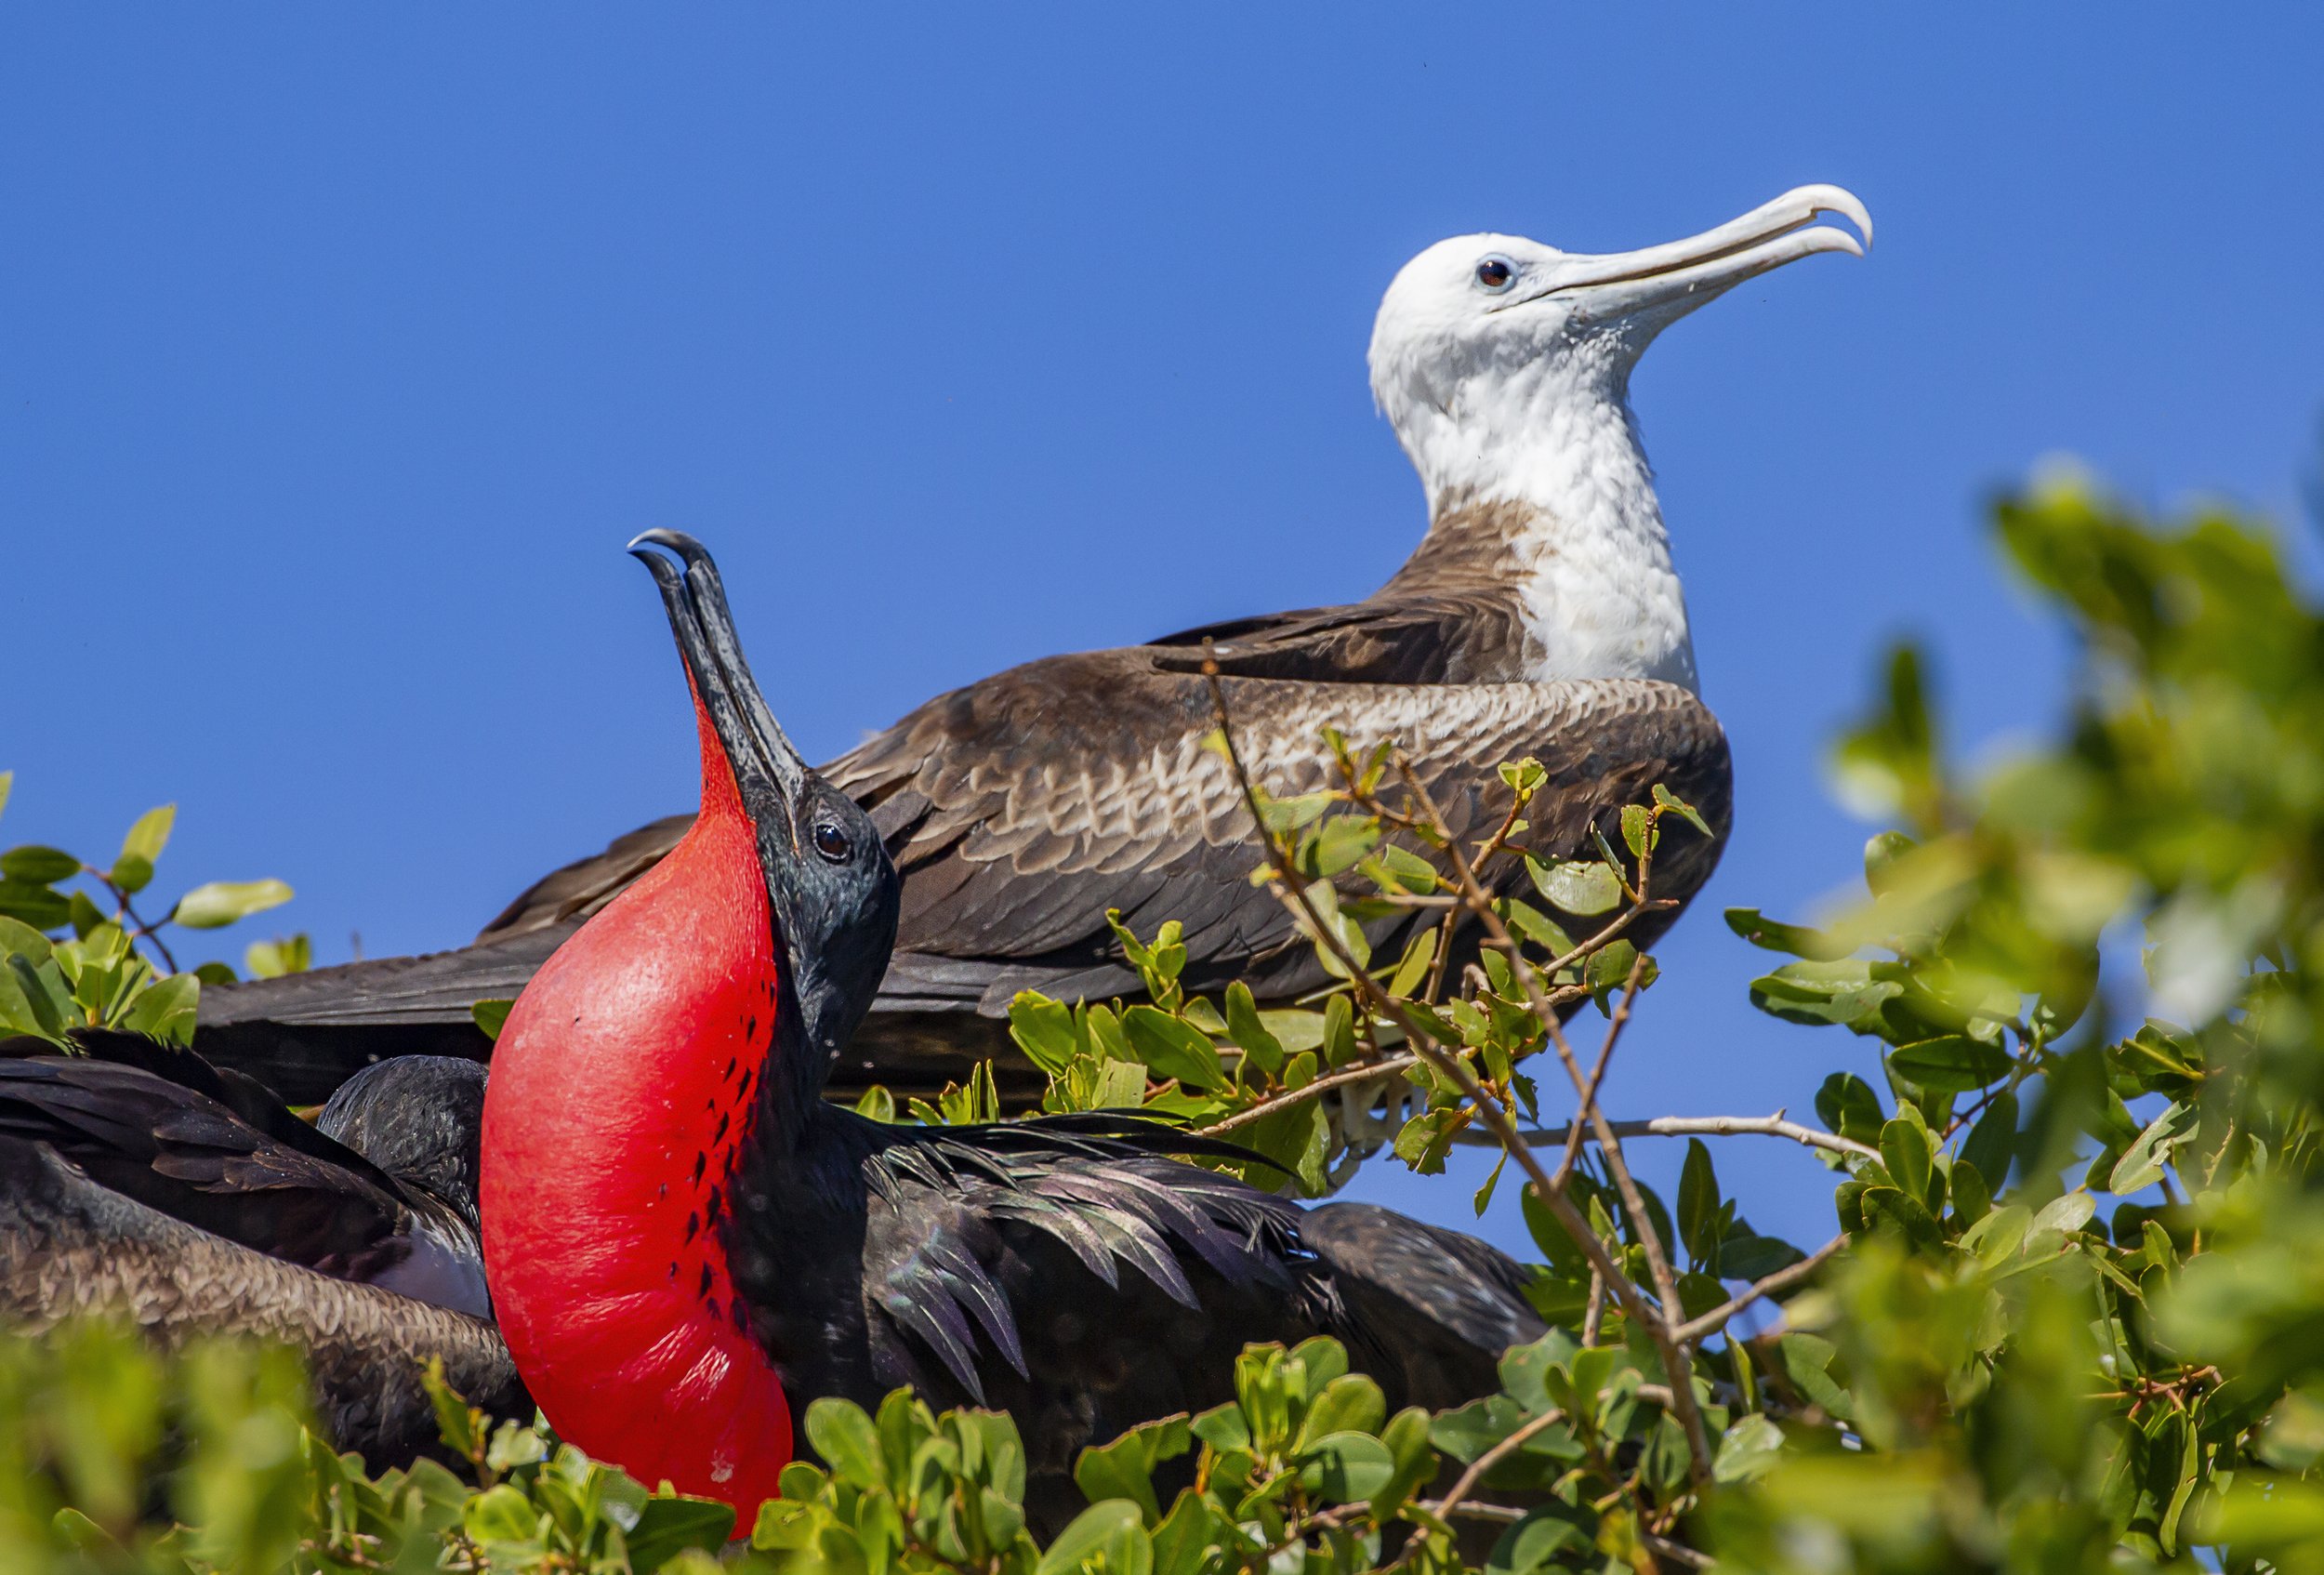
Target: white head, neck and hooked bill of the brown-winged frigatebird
{"x": 1505, "y": 371}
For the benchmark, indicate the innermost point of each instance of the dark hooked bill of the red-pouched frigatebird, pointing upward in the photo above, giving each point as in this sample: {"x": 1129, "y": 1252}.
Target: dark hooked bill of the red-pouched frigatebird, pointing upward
{"x": 766, "y": 765}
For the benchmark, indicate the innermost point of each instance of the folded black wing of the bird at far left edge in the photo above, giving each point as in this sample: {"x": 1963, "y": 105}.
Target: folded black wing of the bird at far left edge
{"x": 220, "y": 1153}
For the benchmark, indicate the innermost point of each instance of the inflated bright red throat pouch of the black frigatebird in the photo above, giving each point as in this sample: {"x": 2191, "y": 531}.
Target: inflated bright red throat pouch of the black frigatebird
{"x": 624, "y": 1086}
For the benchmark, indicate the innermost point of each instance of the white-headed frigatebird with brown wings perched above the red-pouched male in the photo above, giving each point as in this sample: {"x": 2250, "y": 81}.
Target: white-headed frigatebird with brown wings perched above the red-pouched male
{"x": 1540, "y": 617}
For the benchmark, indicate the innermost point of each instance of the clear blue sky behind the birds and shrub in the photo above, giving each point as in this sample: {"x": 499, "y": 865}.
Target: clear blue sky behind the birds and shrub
{"x": 343, "y": 347}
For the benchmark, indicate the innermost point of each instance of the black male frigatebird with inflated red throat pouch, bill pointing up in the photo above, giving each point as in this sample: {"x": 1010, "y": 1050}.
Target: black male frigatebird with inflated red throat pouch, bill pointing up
{"x": 687, "y": 1242}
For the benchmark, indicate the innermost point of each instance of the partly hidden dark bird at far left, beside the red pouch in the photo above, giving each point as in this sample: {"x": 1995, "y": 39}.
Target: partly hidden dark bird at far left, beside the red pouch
{"x": 143, "y": 1184}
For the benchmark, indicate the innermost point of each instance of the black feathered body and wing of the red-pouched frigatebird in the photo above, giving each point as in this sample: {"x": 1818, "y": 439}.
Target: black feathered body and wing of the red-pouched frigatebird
{"x": 1077, "y": 1274}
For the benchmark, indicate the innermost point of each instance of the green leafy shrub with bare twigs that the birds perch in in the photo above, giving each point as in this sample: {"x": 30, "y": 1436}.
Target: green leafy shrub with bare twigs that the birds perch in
{"x": 2072, "y": 1314}
